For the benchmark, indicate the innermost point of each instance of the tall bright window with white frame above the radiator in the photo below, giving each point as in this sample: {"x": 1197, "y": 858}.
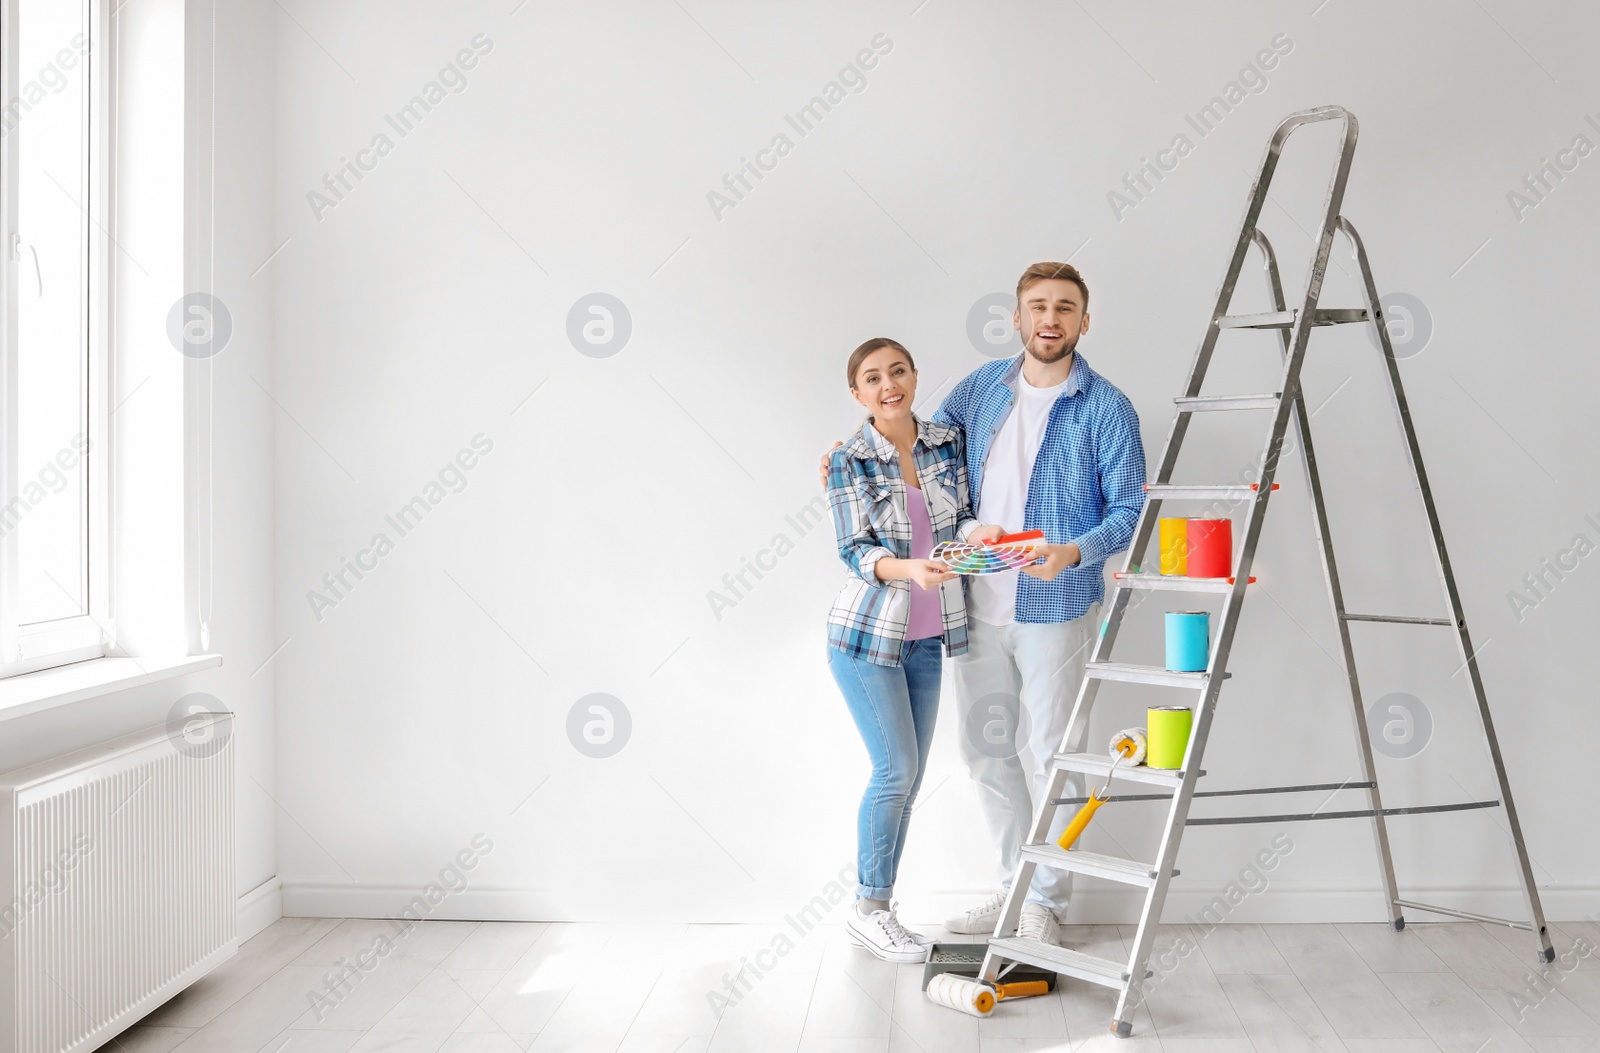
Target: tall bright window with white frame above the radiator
{"x": 54, "y": 343}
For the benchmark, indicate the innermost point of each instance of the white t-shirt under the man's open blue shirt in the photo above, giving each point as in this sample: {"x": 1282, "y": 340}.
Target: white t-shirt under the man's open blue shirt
{"x": 1007, "y": 473}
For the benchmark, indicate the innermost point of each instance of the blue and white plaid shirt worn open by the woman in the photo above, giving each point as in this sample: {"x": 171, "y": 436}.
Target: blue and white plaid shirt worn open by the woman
{"x": 868, "y": 498}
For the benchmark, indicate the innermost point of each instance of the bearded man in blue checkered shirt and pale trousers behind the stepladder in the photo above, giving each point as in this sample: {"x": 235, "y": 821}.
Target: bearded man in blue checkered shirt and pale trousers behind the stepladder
{"x": 1054, "y": 447}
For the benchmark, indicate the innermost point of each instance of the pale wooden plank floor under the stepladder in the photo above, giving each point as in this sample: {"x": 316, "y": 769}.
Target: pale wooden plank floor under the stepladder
{"x": 506, "y": 988}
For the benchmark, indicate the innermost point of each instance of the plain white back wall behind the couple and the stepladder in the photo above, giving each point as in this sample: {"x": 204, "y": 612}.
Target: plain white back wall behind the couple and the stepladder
{"x": 430, "y": 305}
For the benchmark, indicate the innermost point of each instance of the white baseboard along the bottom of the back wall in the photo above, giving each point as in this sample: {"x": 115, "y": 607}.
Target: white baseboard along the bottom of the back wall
{"x": 1276, "y": 905}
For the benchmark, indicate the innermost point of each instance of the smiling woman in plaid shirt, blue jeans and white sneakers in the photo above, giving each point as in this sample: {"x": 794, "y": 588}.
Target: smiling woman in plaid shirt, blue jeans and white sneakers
{"x": 897, "y": 489}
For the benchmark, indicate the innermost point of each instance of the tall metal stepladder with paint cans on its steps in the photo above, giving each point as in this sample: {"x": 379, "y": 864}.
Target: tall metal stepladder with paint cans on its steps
{"x": 1287, "y": 404}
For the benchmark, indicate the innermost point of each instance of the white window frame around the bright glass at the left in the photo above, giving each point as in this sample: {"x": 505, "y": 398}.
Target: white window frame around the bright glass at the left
{"x": 42, "y": 646}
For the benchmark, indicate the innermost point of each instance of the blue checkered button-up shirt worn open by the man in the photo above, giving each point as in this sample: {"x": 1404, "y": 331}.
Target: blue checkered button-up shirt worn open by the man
{"x": 1087, "y": 484}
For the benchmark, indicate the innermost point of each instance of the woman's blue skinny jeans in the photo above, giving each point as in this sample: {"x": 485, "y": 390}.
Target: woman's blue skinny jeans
{"x": 895, "y": 708}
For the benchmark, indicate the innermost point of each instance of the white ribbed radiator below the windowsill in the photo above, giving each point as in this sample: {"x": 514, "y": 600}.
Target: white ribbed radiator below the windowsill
{"x": 116, "y": 883}
